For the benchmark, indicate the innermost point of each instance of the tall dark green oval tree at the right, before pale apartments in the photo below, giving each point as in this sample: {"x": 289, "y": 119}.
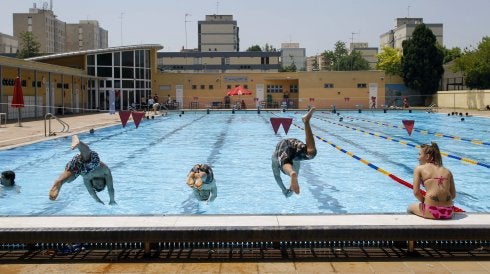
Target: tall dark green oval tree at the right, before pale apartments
{"x": 422, "y": 61}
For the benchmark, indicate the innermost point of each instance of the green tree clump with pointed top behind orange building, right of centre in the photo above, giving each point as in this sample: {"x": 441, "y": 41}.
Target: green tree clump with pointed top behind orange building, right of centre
{"x": 341, "y": 60}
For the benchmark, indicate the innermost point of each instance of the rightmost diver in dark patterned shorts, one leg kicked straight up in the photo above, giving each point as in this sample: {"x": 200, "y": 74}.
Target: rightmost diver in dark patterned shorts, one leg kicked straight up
{"x": 289, "y": 153}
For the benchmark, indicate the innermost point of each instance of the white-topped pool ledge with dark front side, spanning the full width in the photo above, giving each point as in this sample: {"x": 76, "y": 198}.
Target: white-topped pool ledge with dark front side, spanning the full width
{"x": 241, "y": 228}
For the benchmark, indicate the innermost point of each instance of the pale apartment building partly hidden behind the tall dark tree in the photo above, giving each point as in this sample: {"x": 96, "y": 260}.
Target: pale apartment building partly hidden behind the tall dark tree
{"x": 403, "y": 30}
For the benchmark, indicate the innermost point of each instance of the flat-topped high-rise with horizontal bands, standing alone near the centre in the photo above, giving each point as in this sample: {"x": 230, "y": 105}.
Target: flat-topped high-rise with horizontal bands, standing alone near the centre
{"x": 218, "y": 33}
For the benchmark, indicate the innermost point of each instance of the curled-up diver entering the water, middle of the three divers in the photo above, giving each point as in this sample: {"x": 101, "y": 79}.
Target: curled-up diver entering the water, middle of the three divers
{"x": 201, "y": 180}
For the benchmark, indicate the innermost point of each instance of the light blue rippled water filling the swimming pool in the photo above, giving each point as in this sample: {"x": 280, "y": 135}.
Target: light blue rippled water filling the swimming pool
{"x": 150, "y": 164}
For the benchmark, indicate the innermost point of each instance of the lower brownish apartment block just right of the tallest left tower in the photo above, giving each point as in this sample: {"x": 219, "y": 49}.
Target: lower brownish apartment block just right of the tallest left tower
{"x": 85, "y": 35}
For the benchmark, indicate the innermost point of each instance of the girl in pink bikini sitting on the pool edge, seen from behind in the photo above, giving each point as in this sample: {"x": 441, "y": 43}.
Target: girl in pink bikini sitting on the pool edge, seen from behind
{"x": 438, "y": 182}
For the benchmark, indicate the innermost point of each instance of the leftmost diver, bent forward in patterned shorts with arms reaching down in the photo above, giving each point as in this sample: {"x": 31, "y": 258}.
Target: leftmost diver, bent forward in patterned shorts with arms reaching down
{"x": 96, "y": 175}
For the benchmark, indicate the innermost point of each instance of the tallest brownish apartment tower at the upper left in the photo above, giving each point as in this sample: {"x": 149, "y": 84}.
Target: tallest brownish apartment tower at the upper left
{"x": 47, "y": 30}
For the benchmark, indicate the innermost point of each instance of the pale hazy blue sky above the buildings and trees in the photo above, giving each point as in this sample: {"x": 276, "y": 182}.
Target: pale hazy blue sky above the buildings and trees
{"x": 315, "y": 24}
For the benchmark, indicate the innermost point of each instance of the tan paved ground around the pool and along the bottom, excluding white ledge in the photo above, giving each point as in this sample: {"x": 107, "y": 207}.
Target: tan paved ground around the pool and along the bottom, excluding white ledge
{"x": 381, "y": 262}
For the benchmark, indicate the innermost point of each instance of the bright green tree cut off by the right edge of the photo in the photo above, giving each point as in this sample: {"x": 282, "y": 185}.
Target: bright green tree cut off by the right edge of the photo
{"x": 475, "y": 65}
